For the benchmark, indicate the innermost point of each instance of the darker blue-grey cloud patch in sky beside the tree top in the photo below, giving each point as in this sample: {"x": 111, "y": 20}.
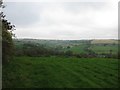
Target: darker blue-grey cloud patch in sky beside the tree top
{"x": 22, "y": 14}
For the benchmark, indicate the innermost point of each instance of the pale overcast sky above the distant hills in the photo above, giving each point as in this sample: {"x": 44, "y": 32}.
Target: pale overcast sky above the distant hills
{"x": 64, "y": 19}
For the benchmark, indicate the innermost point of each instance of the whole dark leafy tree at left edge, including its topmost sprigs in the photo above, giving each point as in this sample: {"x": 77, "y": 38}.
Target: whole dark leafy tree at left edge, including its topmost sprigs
{"x": 7, "y": 43}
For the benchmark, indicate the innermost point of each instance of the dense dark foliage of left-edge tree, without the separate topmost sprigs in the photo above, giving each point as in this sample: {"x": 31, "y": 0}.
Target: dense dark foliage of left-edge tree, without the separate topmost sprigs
{"x": 7, "y": 43}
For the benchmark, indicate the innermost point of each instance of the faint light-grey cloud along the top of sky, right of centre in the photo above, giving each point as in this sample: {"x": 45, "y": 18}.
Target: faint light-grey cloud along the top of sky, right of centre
{"x": 77, "y": 7}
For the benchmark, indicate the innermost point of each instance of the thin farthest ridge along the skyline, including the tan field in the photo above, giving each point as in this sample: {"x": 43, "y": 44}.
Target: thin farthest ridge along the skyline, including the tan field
{"x": 63, "y": 42}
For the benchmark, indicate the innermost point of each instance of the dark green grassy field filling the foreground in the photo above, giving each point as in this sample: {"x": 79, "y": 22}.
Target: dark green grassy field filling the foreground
{"x": 61, "y": 72}
